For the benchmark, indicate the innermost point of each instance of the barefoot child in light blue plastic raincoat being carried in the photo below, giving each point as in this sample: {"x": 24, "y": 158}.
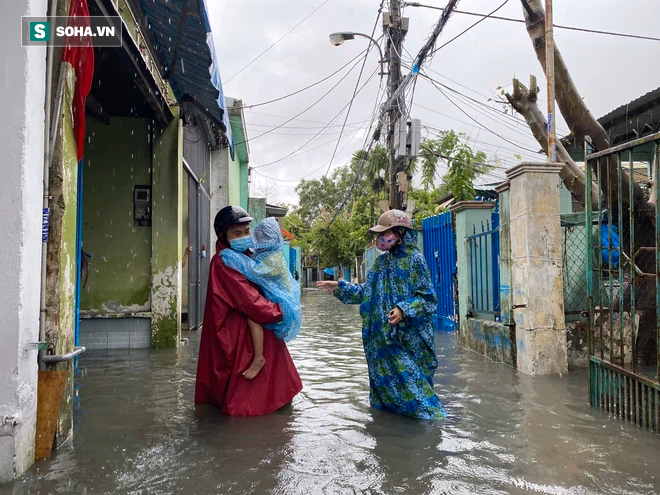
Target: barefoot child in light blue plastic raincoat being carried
{"x": 268, "y": 269}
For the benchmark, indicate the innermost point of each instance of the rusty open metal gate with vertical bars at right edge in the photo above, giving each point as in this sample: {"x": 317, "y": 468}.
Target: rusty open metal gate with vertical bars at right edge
{"x": 623, "y": 275}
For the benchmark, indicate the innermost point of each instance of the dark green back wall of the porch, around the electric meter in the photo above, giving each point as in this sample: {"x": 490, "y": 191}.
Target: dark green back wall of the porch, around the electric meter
{"x": 120, "y": 268}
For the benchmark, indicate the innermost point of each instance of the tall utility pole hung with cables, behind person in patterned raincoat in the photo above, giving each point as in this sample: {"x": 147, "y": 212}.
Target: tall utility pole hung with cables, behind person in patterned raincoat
{"x": 396, "y": 35}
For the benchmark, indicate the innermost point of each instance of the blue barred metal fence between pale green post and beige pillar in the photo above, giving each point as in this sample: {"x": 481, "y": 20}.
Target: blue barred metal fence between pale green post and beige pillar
{"x": 484, "y": 264}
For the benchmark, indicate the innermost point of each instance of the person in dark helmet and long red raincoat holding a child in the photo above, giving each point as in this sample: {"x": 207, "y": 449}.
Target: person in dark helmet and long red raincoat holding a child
{"x": 226, "y": 346}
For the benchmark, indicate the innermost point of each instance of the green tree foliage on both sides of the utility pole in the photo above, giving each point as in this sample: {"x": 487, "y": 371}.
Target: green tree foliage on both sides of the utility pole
{"x": 334, "y": 213}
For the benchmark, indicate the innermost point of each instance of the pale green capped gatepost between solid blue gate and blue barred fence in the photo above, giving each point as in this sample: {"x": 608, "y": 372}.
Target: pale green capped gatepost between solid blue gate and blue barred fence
{"x": 466, "y": 215}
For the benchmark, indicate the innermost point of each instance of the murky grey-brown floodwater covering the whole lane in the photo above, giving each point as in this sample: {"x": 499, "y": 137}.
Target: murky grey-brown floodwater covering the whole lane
{"x": 137, "y": 430}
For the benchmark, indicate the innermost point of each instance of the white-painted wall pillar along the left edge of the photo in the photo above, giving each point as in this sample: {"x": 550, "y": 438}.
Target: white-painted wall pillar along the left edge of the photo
{"x": 22, "y": 86}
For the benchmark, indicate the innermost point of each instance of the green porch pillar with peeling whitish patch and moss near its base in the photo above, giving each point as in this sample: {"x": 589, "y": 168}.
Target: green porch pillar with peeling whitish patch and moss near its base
{"x": 166, "y": 234}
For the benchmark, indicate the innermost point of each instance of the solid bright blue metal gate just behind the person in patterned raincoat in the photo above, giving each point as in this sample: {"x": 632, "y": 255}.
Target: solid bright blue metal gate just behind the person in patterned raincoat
{"x": 440, "y": 254}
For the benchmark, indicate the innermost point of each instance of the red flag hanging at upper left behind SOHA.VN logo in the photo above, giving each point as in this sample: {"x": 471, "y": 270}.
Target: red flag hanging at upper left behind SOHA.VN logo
{"x": 81, "y": 59}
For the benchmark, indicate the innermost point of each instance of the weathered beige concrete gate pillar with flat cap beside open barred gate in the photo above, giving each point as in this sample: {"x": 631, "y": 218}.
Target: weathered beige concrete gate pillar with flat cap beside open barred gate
{"x": 536, "y": 269}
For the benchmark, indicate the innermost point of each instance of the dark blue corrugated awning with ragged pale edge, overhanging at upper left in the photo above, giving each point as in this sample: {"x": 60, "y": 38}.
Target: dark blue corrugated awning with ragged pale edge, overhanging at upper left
{"x": 182, "y": 33}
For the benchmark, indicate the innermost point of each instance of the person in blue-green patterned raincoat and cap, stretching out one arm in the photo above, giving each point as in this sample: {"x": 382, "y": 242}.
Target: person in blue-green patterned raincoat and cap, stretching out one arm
{"x": 397, "y": 304}
